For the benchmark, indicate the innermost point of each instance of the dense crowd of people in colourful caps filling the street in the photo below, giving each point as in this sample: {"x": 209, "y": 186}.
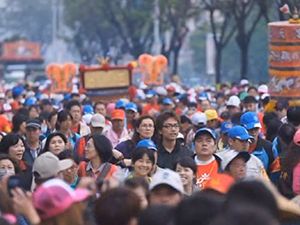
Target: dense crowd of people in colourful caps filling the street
{"x": 168, "y": 155}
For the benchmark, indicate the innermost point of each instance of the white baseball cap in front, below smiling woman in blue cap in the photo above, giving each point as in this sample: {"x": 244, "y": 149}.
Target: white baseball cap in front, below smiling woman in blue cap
{"x": 167, "y": 177}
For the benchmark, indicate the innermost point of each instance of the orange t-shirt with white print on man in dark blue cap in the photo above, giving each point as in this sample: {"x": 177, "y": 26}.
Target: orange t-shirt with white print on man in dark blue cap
{"x": 206, "y": 172}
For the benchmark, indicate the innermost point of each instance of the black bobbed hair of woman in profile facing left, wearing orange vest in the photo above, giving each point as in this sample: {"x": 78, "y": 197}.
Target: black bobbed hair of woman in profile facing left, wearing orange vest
{"x": 103, "y": 147}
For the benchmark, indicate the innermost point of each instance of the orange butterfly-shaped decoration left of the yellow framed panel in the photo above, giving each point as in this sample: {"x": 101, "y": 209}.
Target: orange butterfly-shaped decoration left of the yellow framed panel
{"x": 61, "y": 76}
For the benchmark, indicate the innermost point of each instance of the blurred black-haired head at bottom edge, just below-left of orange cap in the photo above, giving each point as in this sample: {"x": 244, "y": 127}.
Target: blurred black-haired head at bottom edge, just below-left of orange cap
{"x": 199, "y": 209}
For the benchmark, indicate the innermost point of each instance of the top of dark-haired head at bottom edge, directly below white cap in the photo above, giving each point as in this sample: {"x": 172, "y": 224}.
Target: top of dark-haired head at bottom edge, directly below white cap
{"x": 157, "y": 214}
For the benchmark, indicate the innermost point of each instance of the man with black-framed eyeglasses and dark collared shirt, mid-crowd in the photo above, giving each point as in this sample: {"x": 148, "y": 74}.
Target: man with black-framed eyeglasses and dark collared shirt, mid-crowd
{"x": 169, "y": 148}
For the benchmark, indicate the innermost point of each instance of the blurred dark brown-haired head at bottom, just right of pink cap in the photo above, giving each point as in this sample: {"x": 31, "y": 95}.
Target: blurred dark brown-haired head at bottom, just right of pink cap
{"x": 117, "y": 207}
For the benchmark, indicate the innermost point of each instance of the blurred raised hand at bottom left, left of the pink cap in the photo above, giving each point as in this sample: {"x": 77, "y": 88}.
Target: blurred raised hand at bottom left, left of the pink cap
{"x": 22, "y": 203}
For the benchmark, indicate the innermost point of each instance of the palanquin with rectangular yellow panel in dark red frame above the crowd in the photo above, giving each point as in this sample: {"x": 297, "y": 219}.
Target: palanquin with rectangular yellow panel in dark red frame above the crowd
{"x": 105, "y": 82}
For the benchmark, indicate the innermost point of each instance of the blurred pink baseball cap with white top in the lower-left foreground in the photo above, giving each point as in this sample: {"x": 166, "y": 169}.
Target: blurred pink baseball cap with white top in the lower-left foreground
{"x": 55, "y": 196}
